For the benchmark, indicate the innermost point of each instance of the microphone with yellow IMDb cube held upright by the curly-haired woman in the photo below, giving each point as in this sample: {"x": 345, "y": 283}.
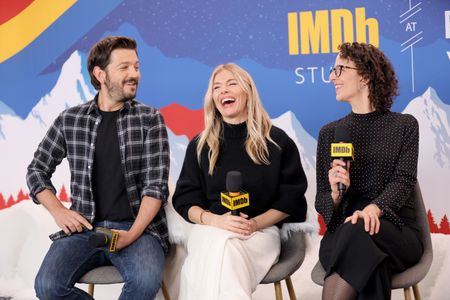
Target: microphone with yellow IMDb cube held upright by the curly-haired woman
{"x": 342, "y": 149}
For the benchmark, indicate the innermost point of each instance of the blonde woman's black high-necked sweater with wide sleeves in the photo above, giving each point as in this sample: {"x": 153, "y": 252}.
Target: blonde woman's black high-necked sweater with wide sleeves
{"x": 280, "y": 185}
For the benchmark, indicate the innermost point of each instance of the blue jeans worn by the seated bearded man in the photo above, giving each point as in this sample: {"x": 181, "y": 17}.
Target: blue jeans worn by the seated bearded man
{"x": 140, "y": 264}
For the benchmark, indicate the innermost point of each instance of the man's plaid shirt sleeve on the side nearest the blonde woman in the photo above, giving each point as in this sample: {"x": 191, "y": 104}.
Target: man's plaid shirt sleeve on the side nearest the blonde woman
{"x": 156, "y": 160}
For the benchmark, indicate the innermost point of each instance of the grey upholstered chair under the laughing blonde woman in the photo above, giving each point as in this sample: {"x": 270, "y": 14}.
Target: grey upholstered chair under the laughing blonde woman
{"x": 291, "y": 257}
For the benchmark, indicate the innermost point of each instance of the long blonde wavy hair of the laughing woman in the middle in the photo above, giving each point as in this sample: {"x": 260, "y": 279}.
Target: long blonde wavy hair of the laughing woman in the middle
{"x": 258, "y": 120}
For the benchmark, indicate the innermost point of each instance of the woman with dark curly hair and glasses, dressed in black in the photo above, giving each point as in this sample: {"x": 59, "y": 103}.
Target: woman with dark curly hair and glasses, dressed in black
{"x": 371, "y": 228}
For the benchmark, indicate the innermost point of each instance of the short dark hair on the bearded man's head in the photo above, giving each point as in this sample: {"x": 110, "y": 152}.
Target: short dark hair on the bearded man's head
{"x": 101, "y": 52}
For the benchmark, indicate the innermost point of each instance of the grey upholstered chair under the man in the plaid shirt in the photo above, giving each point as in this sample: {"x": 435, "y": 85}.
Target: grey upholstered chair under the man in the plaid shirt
{"x": 108, "y": 275}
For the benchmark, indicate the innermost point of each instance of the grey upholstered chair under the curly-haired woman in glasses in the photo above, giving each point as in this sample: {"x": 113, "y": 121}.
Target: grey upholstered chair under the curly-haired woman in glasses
{"x": 412, "y": 276}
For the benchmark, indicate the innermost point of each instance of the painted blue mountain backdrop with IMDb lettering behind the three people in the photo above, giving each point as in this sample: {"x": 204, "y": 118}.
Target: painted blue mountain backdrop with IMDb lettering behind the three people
{"x": 179, "y": 43}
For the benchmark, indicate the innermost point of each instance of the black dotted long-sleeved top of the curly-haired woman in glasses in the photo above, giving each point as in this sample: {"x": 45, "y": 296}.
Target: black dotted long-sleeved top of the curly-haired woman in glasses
{"x": 384, "y": 169}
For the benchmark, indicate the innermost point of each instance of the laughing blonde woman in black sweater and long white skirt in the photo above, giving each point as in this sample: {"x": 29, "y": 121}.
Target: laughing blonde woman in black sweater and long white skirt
{"x": 229, "y": 255}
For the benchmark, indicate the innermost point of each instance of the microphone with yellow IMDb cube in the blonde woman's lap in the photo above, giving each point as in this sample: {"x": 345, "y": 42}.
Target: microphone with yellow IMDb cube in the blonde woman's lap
{"x": 234, "y": 198}
